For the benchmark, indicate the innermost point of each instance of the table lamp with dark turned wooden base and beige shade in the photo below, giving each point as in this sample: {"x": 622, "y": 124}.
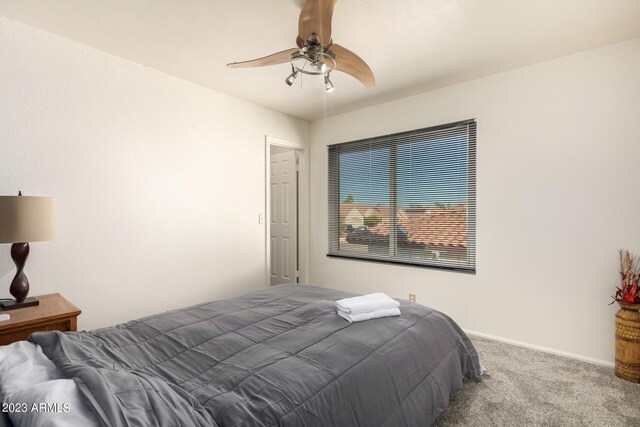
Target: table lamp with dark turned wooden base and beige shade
{"x": 24, "y": 219}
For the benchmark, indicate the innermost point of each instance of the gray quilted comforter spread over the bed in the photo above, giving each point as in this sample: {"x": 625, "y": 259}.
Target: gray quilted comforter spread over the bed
{"x": 279, "y": 356}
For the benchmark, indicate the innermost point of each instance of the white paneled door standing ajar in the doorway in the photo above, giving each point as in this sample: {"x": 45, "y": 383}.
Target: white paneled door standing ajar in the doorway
{"x": 283, "y": 217}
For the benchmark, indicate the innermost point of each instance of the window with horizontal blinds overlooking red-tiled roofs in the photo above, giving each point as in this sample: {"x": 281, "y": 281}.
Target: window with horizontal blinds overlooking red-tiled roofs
{"x": 407, "y": 198}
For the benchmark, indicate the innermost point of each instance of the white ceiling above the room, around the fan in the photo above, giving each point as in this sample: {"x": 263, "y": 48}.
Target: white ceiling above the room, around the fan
{"x": 411, "y": 45}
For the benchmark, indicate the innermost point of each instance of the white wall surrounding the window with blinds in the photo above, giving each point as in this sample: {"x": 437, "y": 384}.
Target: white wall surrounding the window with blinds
{"x": 557, "y": 196}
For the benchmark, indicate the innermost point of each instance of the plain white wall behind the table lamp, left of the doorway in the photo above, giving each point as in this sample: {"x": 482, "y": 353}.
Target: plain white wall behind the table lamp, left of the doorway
{"x": 143, "y": 167}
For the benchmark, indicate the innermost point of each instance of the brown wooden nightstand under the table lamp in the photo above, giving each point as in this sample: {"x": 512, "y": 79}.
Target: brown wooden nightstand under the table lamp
{"x": 53, "y": 314}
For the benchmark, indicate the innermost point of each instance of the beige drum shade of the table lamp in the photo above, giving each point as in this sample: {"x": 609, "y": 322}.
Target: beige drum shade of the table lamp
{"x": 27, "y": 219}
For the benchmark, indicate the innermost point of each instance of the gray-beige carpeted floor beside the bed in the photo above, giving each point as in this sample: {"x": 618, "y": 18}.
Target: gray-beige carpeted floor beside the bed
{"x": 529, "y": 388}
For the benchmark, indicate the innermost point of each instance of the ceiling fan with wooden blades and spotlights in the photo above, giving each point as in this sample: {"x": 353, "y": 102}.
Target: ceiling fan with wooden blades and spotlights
{"x": 316, "y": 53}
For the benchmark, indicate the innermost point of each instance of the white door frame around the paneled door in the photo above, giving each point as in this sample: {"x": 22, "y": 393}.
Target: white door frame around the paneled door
{"x": 303, "y": 207}
